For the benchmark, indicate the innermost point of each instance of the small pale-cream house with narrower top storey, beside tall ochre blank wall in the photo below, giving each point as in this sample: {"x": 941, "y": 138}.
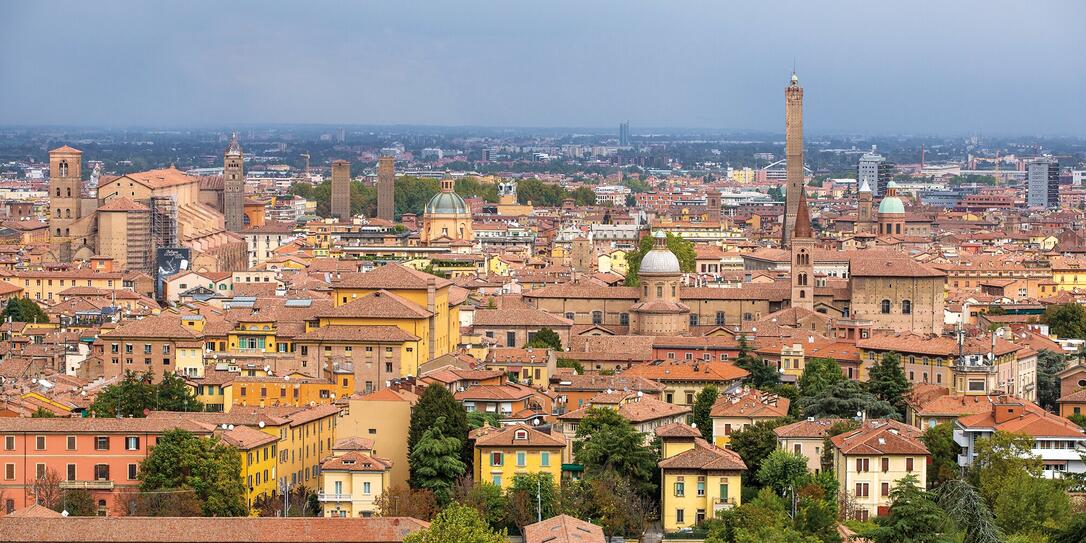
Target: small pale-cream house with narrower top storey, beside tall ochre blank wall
{"x": 352, "y": 479}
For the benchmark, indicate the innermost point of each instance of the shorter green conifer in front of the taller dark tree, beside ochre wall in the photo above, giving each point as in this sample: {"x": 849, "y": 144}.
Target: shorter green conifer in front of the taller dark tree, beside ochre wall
{"x": 436, "y": 461}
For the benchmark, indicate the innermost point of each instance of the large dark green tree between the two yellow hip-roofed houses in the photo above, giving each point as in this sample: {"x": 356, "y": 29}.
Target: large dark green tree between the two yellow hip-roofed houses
{"x": 607, "y": 441}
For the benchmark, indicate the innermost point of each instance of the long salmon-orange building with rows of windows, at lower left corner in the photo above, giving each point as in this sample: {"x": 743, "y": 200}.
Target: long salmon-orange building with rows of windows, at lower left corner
{"x": 102, "y": 456}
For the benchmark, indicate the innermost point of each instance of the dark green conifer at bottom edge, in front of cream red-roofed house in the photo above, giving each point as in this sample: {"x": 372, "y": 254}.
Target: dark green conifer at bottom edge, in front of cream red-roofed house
{"x": 914, "y": 516}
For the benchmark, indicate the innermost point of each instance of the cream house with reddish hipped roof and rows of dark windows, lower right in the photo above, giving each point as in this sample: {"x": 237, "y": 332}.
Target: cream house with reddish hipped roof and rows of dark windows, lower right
{"x": 872, "y": 460}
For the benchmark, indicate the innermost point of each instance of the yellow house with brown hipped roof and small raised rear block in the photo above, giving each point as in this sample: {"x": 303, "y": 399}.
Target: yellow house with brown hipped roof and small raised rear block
{"x": 698, "y": 479}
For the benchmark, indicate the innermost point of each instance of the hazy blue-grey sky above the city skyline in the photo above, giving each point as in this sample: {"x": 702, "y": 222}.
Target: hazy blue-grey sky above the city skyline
{"x": 869, "y": 68}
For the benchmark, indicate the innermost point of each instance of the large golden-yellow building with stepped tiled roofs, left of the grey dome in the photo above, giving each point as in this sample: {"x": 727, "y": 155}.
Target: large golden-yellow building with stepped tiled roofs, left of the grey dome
{"x": 421, "y": 305}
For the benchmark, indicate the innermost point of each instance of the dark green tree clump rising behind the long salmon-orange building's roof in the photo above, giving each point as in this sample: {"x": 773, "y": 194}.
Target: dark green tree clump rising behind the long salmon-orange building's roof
{"x": 137, "y": 394}
